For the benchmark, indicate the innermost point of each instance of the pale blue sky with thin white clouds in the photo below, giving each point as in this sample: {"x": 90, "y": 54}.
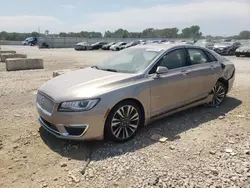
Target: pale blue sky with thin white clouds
{"x": 215, "y": 17}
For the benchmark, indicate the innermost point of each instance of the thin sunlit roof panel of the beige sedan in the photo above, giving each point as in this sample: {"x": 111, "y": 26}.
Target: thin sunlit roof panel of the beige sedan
{"x": 163, "y": 46}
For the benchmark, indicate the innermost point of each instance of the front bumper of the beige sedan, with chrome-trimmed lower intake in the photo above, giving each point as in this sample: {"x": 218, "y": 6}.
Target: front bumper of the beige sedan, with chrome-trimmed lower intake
{"x": 88, "y": 125}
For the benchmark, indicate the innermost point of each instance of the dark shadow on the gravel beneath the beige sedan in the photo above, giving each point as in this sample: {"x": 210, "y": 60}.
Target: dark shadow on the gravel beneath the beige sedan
{"x": 169, "y": 127}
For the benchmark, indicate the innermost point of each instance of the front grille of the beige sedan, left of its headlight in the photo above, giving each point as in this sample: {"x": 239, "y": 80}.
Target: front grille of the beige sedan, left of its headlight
{"x": 45, "y": 103}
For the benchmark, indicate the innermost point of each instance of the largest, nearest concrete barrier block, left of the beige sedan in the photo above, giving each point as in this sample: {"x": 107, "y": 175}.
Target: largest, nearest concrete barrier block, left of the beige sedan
{"x": 23, "y": 64}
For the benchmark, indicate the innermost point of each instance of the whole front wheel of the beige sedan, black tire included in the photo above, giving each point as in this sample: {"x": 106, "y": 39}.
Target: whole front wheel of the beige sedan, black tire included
{"x": 123, "y": 121}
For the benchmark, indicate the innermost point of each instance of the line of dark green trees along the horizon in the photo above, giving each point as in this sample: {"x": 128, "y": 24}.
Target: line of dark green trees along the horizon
{"x": 188, "y": 32}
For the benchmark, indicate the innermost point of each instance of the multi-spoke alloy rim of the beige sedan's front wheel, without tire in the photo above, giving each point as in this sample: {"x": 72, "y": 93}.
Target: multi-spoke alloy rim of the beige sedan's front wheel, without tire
{"x": 125, "y": 122}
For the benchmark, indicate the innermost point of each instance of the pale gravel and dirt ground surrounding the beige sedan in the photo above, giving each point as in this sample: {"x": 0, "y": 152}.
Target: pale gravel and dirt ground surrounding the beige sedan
{"x": 204, "y": 147}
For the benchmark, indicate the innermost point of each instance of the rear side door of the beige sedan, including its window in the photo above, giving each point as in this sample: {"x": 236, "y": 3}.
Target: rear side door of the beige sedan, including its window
{"x": 203, "y": 72}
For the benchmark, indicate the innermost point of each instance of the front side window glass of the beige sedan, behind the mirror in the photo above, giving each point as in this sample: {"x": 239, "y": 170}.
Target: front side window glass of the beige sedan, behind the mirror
{"x": 172, "y": 60}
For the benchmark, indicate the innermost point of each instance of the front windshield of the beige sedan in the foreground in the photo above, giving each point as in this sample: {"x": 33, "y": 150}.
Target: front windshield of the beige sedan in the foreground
{"x": 131, "y": 60}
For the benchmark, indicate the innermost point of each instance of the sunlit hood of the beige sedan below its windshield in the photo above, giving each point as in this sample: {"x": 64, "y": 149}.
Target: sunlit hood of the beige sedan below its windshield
{"x": 84, "y": 83}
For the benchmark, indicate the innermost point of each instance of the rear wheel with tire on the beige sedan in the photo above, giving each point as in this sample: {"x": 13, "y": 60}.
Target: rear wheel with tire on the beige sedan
{"x": 219, "y": 91}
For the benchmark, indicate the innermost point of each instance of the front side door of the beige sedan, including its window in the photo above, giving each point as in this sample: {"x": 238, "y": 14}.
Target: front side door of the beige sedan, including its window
{"x": 169, "y": 90}
